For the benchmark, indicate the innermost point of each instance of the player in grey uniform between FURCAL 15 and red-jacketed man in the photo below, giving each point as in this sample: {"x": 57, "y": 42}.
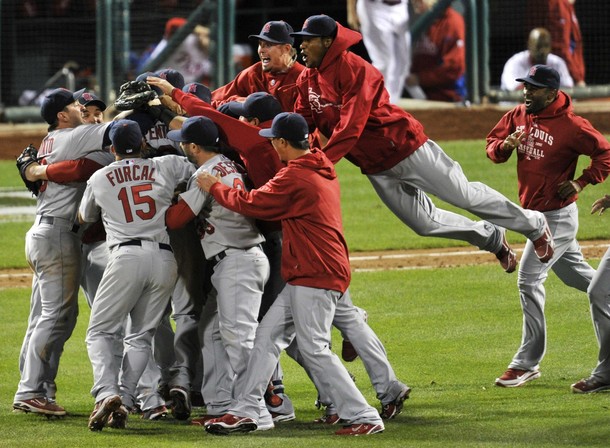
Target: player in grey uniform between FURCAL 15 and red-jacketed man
{"x": 241, "y": 268}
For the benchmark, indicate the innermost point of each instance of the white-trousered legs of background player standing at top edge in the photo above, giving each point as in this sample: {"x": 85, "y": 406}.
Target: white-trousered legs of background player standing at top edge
{"x": 384, "y": 25}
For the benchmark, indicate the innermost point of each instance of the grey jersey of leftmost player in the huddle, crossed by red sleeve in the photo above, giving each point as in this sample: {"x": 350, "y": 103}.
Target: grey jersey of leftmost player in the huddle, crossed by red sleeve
{"x": 57, "y": 200}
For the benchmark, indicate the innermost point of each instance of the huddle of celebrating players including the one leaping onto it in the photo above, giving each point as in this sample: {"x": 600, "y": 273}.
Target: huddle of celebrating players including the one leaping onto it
{"x": 221, "y": 209}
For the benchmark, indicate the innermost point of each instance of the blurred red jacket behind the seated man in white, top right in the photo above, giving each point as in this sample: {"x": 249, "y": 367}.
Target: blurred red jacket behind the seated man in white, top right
{"x": 559, "y": 17}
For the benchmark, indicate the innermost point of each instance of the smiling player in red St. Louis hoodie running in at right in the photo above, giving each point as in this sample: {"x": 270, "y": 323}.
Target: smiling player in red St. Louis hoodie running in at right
{"x": 548, "y": 139}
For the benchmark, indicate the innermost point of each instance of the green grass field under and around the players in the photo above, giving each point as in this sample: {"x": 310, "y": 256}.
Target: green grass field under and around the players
{"x": 448, "y": 332}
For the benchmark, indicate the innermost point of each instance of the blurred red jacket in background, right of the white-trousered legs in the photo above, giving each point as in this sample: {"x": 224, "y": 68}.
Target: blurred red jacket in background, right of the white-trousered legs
{"x": 439, "y": 58}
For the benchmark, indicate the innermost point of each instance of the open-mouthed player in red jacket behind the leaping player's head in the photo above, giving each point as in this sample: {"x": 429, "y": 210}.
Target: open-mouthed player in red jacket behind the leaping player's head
{"x": 275, "y": 73}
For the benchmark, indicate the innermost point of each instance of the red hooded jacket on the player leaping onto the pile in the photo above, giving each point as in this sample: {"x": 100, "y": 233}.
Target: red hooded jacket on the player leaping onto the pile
{"x": 345, "y": 99}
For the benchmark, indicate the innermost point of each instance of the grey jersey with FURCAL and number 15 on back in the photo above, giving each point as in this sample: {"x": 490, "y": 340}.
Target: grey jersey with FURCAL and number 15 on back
{"x": 133, "y": 195}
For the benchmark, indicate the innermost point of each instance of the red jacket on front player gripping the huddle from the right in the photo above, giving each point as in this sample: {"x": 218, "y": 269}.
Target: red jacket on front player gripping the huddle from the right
{"x": 305, "y": 197}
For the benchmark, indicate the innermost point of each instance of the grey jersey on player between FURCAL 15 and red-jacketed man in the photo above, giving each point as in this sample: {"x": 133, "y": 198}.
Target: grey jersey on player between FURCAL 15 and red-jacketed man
{"x": 222, "y": 228}
